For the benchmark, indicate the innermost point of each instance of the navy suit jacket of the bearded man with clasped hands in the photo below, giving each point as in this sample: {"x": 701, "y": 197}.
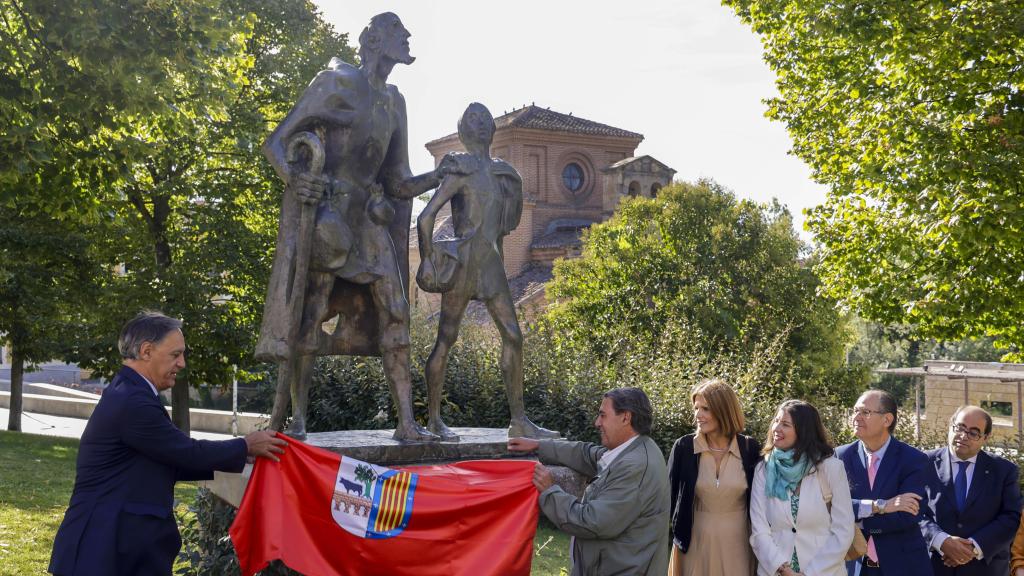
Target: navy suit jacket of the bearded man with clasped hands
{"x": 991, "y": 517}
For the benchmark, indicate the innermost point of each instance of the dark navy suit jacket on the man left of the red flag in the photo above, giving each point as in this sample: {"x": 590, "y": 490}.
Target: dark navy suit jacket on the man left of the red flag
{"x": 120, "y": 520}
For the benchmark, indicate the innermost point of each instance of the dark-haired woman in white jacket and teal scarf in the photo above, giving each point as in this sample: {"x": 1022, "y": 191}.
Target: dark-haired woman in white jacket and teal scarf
{"x": 794, "y": 531}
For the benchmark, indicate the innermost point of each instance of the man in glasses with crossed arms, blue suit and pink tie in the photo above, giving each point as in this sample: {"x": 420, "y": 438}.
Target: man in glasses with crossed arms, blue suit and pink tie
{"x": 887, "y": 481}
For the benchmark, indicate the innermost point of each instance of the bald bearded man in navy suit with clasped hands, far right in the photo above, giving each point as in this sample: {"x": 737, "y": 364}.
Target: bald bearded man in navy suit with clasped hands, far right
{"x": 975, "y": 500}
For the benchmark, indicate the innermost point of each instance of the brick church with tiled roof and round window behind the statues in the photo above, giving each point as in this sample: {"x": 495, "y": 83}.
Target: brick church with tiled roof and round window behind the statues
{"x": 574, "y": 172}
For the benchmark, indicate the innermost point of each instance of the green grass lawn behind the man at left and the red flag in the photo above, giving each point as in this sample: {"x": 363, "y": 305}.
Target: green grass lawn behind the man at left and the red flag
{"x": 37, "y": 474}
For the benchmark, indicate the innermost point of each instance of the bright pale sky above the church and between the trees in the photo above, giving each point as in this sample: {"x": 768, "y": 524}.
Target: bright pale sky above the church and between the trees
{"x": 687, "y": 74}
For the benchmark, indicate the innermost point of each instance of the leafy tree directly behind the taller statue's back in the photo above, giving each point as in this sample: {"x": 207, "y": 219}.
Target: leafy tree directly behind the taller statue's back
{"x": 193, "y": 205}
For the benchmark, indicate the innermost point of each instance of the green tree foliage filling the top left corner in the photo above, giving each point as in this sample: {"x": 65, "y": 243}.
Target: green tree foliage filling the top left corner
{"x": 97, "y": 95}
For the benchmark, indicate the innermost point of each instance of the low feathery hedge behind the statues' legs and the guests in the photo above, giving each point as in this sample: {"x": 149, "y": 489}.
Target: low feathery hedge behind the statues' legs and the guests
{"x": 564, "y": 382}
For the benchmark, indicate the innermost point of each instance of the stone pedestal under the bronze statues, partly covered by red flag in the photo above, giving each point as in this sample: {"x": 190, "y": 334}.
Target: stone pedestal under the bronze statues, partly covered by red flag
{"x": 377, "y": 447}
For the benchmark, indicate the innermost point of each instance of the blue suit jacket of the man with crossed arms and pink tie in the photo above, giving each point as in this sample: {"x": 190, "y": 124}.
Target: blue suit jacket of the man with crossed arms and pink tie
{"x": 898, "y": 537}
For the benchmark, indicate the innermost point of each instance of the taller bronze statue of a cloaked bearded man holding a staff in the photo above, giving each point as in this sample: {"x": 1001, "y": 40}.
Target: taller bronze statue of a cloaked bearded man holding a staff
{"x": 344, "y": 239}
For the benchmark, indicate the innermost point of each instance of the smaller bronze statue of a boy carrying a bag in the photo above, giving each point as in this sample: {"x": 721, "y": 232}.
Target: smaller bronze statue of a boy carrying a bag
{"x": 487, "y": 204}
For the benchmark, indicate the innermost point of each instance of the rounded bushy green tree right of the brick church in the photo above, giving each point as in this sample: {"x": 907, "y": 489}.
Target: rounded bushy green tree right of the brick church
{"x": 697, "y": 259}
